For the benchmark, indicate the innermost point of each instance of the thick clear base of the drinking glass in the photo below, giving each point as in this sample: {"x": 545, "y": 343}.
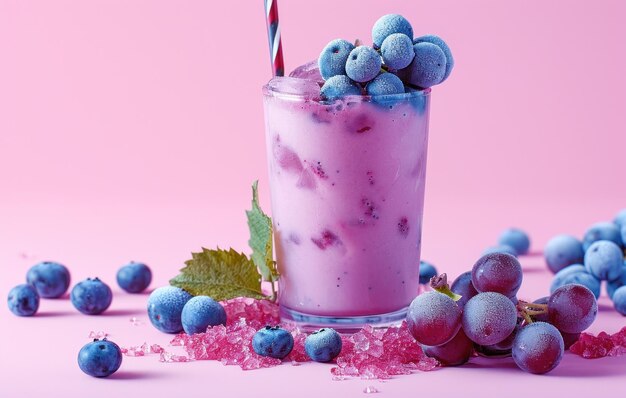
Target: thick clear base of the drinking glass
{"x": 343, "y": 324}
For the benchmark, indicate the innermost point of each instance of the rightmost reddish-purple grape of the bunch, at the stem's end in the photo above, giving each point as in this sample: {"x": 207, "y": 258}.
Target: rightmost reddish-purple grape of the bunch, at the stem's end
{"x": 572, "y": 308}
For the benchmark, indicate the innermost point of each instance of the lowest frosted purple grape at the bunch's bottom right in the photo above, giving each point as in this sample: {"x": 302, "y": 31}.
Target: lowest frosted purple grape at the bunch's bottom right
{"x": 538, "y": 348}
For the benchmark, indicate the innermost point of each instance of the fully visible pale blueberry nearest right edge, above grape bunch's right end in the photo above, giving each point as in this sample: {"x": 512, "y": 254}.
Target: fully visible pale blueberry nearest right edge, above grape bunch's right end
{"x": 604, "y": 260}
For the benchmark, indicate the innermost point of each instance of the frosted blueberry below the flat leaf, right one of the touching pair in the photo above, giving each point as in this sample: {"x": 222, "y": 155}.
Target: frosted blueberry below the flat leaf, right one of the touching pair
{"x": 201, "y": 312}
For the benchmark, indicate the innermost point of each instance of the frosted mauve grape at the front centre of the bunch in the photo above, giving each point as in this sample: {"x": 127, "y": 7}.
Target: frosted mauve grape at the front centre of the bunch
{"x": 489, "y": 318}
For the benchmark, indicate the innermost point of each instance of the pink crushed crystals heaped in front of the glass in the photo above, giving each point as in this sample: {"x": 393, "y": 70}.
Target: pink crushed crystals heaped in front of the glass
{"x": 368, "y": 354}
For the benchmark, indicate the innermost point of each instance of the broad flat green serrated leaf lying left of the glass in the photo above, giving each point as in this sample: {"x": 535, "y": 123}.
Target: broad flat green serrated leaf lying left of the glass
{"x": 220, "y": 274}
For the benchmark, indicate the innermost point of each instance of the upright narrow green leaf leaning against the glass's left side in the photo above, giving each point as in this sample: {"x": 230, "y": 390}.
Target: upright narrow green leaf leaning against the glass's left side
{"x": 260, "y": 242}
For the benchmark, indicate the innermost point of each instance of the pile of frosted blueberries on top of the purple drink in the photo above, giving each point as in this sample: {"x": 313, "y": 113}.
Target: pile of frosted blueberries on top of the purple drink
{"x": 395, "y": 60}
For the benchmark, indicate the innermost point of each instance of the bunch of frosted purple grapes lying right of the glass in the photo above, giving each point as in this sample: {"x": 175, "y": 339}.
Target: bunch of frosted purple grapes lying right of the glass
{"x": 481, "y": 314}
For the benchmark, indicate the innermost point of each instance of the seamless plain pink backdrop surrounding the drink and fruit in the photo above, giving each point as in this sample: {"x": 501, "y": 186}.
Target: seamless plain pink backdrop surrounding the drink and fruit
{"x": 133, "y": 129}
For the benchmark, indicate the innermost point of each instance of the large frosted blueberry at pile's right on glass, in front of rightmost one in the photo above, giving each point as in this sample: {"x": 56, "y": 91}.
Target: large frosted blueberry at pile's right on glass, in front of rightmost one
{"x": 428, "y": 67}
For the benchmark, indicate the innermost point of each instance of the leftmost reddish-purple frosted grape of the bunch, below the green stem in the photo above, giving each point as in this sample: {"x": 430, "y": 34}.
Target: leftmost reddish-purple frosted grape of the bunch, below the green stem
{"x": 433, "y": 318}
